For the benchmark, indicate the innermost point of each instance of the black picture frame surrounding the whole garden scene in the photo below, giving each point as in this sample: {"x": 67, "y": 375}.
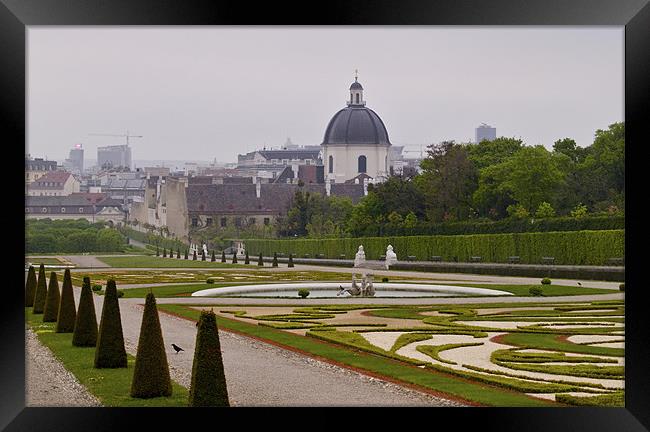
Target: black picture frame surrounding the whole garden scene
{"x": 15, "y": 15}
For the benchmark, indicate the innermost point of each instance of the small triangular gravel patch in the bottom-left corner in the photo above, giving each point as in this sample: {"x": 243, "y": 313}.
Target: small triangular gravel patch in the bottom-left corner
{"x": 48, "y": 383}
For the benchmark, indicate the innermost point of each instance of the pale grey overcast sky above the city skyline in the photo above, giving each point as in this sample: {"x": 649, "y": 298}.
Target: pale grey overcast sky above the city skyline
{"x": 214, "y": 92}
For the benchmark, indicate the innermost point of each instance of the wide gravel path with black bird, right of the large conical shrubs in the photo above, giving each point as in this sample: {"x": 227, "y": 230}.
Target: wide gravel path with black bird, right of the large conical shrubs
{"x": 260, "y": 374}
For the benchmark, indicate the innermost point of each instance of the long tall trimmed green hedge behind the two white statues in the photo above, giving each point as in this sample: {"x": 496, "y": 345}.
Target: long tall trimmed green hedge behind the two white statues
{"x": 567, "y": 247}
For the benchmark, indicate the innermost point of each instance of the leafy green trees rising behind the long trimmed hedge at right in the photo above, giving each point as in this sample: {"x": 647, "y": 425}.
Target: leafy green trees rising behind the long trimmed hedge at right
{"x": 496, "y": 180}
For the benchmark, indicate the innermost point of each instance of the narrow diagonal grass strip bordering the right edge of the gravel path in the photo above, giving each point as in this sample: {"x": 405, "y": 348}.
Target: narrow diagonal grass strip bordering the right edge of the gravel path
{"x": 439, "y": 382}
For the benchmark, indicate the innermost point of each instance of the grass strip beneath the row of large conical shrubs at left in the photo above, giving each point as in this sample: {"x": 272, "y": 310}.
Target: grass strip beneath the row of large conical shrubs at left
{"x": 110, "y": 386}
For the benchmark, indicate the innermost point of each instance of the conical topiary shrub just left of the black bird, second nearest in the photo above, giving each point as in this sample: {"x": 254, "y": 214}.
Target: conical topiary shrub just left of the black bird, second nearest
{"x": 151, "y": 375}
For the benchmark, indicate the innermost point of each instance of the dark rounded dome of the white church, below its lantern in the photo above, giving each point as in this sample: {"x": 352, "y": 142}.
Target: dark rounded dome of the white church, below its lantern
{"x": 356, "y": 125}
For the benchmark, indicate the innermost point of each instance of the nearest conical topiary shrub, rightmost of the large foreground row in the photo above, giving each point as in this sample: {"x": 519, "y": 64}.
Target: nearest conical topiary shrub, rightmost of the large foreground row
{"x": 208, "y": 385}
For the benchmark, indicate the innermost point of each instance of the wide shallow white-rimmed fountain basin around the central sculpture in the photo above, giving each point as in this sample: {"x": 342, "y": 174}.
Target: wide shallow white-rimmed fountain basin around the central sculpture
{"x": 330, "y": 289}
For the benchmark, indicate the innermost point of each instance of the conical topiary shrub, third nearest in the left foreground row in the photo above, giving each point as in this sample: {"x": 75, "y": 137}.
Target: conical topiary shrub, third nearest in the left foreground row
{"x": 110, "y": 352}
